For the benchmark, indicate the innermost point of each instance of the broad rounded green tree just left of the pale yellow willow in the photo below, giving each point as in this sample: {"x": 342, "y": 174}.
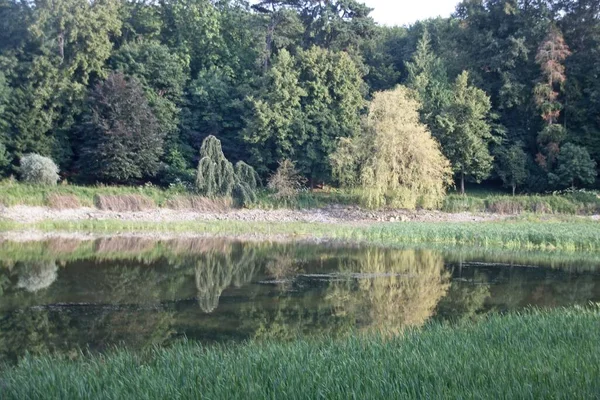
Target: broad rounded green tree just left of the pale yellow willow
{"x": 308, "y": 102}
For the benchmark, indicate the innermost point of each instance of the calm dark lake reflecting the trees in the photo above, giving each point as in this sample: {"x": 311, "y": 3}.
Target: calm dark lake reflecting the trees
{"x": 62, "y": 295}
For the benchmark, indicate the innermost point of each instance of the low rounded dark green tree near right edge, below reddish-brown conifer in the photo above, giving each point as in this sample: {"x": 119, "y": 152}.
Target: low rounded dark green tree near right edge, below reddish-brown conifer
{"x": 575, "y": 166}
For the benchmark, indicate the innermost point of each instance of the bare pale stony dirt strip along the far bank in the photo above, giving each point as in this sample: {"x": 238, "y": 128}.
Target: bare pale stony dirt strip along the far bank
{"x": 333, "y": 214}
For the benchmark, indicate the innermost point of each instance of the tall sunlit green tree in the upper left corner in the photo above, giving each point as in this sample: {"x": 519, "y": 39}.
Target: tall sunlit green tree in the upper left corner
{"x": 64, "y": 48}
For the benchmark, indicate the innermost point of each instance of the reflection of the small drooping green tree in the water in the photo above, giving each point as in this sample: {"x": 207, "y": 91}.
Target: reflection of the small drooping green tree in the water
{"x": 217, "y": 269}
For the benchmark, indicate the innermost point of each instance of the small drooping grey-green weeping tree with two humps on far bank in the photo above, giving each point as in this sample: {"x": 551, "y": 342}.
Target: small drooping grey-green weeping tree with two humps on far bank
{"x": 217, "y": 177}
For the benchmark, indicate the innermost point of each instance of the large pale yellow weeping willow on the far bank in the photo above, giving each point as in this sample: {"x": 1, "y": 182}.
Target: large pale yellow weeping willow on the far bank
{"x": 394, "y": 160}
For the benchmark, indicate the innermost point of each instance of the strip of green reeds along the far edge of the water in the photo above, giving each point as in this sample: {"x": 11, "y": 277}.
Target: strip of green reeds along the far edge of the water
{"x": 567, "y": 236}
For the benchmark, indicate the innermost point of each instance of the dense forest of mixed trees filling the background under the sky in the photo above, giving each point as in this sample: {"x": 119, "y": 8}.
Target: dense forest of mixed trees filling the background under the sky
{"x": 121, "y": 92}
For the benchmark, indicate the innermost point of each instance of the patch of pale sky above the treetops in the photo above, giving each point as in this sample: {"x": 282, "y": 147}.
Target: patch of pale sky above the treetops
{"x": 406, "y": 12}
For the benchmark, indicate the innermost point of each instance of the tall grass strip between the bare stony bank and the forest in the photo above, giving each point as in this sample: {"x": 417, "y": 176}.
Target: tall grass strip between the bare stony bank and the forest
{"x": 67, "y": 196}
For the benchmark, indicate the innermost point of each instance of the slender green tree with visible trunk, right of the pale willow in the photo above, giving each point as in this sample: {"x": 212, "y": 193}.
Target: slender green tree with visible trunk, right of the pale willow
{"x": 465, "y": 133}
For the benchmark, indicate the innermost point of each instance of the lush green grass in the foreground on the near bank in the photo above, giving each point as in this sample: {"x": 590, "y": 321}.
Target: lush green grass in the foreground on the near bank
{"x": 554, "y": 354}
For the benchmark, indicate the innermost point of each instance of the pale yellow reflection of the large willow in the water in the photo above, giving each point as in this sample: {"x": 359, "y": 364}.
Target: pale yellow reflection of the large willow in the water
{"x": 393, "y": 290}
